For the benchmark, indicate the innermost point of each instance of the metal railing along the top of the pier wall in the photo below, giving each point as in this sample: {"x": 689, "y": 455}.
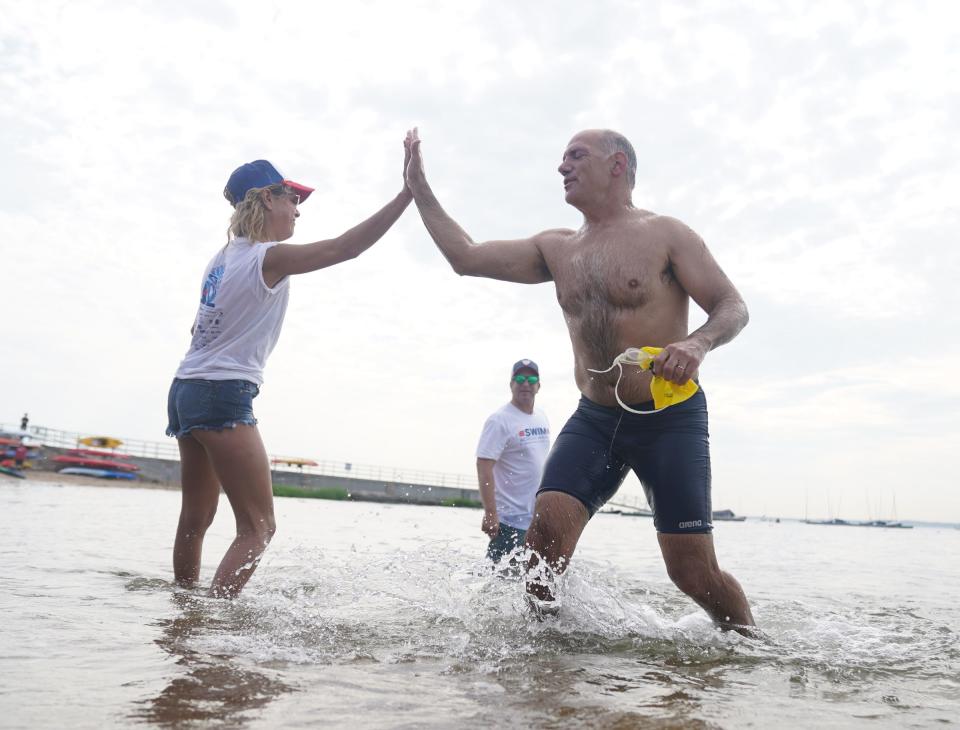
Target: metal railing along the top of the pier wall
{"x": 328, "y": 467}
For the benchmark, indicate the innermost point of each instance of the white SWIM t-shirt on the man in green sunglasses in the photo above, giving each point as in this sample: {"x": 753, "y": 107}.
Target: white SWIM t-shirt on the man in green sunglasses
{"x": 519, "y": 442}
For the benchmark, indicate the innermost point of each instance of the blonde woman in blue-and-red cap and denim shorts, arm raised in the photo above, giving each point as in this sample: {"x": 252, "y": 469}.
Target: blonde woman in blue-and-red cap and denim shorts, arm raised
{"x": 243, "y": 299}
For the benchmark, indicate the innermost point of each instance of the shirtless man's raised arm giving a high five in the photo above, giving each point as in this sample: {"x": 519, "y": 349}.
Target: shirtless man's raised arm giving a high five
{"x": 519, "y": 260}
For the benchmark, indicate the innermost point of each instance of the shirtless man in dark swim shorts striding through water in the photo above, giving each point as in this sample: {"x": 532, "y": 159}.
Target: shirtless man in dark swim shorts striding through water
{"x": 624, "y": 279}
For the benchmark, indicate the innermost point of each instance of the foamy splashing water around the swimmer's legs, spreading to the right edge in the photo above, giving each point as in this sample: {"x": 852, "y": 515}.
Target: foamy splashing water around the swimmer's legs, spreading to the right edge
{"x": 438, "y": 604}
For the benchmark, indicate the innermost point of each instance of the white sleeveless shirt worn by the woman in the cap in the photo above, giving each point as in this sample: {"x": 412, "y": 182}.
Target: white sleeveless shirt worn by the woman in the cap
{"x": 239, "y": 318}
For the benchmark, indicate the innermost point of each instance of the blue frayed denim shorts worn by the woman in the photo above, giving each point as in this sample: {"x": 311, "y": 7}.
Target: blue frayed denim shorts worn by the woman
{"x": 210, "y": 405}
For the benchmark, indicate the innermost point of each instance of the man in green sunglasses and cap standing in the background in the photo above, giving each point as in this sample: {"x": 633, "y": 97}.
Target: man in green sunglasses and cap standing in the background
{"x": 510, "y": 456}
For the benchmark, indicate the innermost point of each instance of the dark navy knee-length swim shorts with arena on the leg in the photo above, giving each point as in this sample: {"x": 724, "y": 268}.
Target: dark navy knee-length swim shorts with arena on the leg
{"x": 669, "y": 452}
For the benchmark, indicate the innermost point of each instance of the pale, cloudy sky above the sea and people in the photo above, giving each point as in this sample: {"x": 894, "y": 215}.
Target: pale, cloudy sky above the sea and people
{"x": 811, "y": 144}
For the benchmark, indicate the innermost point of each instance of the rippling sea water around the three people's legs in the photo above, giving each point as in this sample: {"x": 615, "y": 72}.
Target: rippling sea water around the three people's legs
{"x": 385, "y": 616}
